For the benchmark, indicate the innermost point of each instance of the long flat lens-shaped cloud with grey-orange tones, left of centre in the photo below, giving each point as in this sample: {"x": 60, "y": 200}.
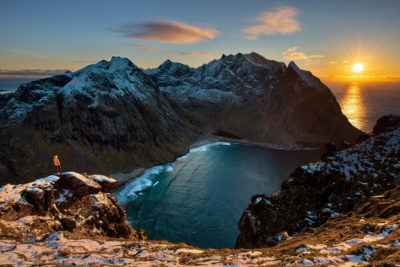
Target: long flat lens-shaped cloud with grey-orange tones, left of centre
{"x": 168, "y": 32}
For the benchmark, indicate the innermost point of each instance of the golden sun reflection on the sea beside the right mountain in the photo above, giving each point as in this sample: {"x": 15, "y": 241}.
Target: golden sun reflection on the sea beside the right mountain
{"x": 353, "y": 106}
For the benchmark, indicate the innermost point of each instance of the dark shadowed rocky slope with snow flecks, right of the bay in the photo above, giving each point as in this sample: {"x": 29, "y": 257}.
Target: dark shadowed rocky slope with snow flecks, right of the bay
{"x": 342, "y": 182}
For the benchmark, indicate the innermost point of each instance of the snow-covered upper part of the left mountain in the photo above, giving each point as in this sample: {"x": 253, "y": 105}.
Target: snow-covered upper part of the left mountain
{"x": 112, "y": 79}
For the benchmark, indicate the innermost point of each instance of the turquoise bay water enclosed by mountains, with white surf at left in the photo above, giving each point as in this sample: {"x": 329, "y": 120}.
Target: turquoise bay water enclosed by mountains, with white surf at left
{"x": 199, "y": 198}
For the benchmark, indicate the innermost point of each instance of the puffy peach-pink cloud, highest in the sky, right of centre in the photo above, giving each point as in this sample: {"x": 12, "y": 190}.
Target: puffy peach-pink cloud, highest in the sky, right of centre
{"x": 281, "y": 20}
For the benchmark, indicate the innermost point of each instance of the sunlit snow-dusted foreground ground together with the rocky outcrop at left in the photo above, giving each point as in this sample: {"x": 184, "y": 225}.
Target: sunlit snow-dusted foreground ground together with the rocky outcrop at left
{"x": 85, "y": 227}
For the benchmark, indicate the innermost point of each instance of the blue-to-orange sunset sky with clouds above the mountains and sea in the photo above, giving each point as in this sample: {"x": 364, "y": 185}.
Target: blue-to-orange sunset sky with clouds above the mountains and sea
{"x": 40, "y": 38}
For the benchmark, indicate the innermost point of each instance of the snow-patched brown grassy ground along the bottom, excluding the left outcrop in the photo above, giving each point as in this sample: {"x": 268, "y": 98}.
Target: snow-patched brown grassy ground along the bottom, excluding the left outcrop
{"x": 368, "y": 235}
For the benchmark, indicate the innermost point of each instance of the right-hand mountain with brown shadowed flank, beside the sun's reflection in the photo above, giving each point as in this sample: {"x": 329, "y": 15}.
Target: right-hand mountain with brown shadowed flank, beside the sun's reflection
{"x": 255, "y": 99}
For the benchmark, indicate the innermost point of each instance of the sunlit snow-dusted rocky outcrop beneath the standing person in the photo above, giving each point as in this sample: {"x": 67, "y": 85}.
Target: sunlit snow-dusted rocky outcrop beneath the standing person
{"x": 69, "y": 202}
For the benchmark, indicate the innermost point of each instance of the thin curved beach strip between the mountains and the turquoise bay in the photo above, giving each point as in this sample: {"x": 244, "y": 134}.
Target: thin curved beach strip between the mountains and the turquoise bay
{"x": 125, "y": 178}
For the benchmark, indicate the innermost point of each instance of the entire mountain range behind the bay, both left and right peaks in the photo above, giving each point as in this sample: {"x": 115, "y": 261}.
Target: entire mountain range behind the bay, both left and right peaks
{"x": 114, "y": 117}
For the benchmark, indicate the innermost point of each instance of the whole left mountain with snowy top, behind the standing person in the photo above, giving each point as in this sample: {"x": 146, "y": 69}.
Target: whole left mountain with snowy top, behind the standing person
{"x": 107, "y": 117}
